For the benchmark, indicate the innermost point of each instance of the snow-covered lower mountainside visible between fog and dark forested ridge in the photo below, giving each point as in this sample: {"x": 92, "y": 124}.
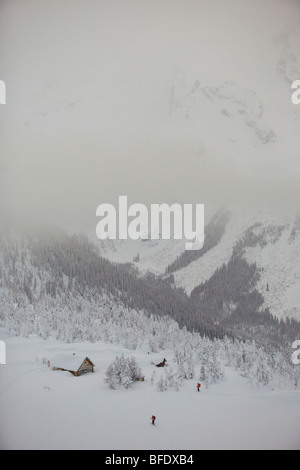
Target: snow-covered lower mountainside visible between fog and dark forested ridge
{"x": 268, "y": 238}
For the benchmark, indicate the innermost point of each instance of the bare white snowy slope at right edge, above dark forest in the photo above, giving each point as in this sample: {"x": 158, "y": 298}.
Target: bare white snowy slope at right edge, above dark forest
{"x": 275, "y": 252}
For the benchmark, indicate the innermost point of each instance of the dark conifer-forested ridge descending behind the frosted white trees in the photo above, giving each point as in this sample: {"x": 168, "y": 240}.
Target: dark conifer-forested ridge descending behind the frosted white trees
{"x": 52, "y": 273}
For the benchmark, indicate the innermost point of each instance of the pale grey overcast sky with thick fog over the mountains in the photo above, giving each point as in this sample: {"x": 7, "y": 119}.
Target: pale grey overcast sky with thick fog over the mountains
{"x": 89, "y": 103}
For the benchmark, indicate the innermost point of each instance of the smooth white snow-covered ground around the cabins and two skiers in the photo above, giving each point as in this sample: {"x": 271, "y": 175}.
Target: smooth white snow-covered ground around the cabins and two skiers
{"x": 43, "y": 409}
